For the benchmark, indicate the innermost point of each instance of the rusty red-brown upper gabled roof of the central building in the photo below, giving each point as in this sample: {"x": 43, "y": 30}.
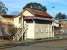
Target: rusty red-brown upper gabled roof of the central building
{"x": 38, "y": 13}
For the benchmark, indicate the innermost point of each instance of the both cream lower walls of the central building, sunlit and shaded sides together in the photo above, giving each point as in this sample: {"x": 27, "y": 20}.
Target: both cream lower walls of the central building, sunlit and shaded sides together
{"x": 37, "y": 31}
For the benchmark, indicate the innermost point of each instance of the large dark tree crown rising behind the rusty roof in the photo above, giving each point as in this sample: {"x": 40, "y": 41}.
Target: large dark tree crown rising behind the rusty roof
{"x": 35, "y": 6}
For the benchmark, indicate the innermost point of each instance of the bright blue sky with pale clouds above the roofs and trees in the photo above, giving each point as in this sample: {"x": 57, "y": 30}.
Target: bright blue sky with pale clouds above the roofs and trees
{"x": 53, "y": 6}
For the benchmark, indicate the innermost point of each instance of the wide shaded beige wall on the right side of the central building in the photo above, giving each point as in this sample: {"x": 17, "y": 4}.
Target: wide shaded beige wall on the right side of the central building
{"x": 43, "y": 31}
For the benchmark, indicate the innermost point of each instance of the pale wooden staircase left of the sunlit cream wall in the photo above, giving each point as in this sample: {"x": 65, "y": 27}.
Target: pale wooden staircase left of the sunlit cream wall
{"x": 20, "y": 33}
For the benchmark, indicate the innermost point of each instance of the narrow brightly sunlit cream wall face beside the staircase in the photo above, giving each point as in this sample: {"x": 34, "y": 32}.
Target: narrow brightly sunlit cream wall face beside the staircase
{"x": 30, "y": 31}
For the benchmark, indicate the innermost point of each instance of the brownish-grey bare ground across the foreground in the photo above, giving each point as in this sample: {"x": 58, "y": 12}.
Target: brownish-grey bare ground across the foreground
{"x": 48, "y": 45}
